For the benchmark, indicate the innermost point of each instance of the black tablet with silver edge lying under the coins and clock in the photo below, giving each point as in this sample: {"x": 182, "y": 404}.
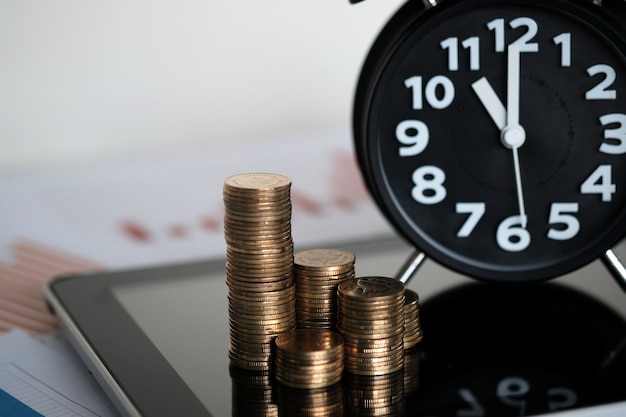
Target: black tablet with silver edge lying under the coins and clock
{"x": 157, "y": 341}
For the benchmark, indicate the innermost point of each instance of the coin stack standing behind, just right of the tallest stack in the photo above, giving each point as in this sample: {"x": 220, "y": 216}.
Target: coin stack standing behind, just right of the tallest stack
{"x": 318, "y": 273}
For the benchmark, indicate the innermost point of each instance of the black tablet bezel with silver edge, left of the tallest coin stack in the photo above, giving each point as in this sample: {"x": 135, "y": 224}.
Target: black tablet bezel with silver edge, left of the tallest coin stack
{"x": 131, "y": 357}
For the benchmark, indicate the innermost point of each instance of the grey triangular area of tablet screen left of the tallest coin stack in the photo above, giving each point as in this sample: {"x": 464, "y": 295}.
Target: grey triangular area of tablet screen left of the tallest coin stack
{"x": 186, "y": 319}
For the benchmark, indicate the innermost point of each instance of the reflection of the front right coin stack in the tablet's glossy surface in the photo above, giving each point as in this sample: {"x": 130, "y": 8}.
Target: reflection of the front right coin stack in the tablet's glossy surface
{"x": 381, "y": 395}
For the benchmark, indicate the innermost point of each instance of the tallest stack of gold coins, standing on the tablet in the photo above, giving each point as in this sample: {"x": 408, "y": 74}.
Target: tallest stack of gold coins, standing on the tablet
{"x": 259, "y": 266}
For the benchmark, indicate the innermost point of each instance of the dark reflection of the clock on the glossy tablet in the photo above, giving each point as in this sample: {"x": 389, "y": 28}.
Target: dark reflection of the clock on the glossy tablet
{"x": 562, "y": 350}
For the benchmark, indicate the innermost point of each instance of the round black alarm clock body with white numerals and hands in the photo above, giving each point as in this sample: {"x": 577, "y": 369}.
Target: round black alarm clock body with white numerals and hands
{"x": 492, "y": 133}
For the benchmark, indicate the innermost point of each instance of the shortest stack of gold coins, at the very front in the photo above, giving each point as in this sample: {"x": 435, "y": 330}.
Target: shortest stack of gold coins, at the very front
{"x": 309, "y": 358}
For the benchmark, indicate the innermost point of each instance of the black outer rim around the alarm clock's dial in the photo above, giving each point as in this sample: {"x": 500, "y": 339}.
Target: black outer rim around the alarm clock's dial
{"x": 399, "y": 28}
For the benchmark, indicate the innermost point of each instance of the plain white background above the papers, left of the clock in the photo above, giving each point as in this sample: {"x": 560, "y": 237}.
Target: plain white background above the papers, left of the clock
{"x": 84, "y": 80}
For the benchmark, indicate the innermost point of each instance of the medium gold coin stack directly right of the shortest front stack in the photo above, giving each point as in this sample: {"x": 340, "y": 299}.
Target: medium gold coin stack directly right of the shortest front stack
{"x": 370, "y": 317}
